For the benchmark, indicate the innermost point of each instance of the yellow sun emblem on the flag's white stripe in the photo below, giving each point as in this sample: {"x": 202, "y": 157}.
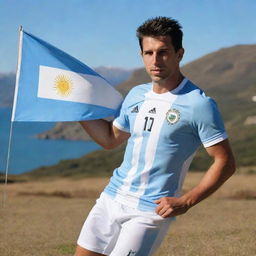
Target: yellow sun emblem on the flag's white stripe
{"x": 63, "y": 85}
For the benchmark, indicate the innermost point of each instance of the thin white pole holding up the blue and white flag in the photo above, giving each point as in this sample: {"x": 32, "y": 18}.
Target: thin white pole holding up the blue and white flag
{"x": 12, "y": 119}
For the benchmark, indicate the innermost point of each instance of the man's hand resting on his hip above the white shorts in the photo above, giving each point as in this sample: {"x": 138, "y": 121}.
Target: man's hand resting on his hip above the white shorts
{"x": 171, "y": 206}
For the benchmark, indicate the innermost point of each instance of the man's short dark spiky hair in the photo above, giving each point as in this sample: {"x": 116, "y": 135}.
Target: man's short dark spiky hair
{"x": 161, "y": 26}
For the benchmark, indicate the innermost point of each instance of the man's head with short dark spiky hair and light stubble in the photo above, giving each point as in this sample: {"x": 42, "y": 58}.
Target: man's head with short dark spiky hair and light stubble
{"x": 161, "y": 49}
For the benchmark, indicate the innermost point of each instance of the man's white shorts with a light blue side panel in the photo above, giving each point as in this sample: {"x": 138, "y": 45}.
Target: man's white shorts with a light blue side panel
{"x": 114, "y": 229}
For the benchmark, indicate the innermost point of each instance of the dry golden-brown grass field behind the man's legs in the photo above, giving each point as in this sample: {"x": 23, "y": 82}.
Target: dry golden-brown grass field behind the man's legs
{"x": 44, "y": 219}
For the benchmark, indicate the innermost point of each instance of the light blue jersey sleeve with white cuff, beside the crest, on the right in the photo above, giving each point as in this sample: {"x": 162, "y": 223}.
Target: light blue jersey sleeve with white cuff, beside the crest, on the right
{"x": 208, "y": 123}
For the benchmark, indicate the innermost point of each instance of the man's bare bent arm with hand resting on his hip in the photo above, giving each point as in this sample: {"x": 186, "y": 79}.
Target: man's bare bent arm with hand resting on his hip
{"x": 221, "y": 169}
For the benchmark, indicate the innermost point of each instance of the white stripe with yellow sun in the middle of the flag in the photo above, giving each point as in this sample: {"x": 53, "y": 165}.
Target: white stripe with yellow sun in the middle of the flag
{"x": 60, "y": 84}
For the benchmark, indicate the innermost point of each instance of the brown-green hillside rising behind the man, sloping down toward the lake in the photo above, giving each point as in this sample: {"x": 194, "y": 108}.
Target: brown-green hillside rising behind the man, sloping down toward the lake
{"x": 229, "y": 76}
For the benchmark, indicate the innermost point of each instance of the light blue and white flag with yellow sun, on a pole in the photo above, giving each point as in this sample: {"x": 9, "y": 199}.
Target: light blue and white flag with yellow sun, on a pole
{"x": 52, "y": 86}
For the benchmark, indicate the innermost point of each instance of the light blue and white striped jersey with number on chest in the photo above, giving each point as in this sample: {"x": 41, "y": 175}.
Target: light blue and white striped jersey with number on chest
{"x": 166, "y": 130}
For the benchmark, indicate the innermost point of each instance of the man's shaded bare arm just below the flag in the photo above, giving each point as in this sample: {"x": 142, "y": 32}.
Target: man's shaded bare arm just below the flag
{"x": 105, "y": 133}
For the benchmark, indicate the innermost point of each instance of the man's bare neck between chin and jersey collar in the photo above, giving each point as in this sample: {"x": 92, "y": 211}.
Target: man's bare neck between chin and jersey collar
{"x": 167, "y": 85}
